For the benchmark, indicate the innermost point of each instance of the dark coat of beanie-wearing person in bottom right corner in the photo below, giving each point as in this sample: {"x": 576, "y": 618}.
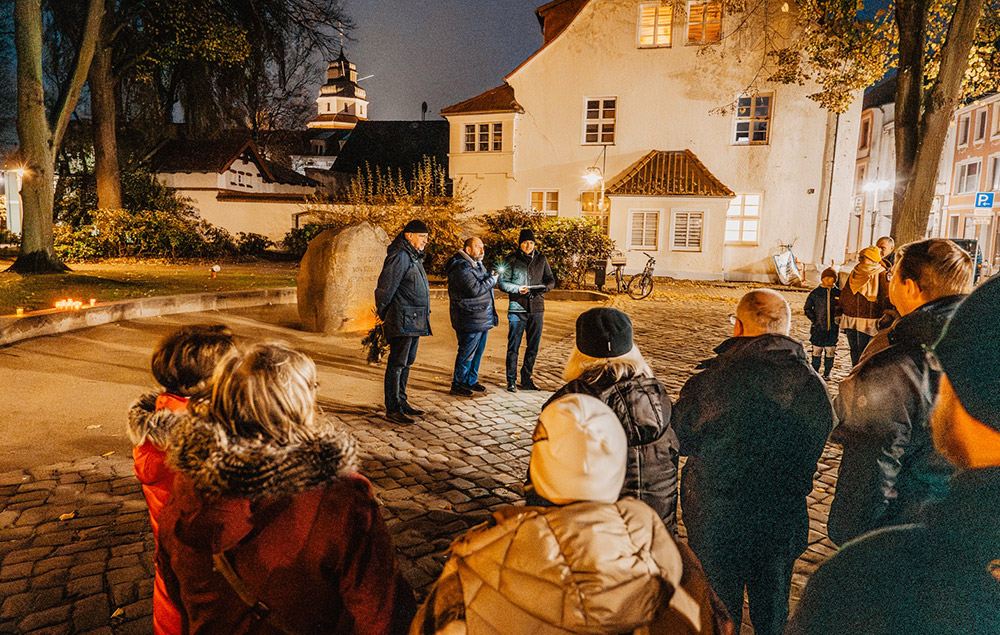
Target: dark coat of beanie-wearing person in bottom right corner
{"x": 939, "y": 577}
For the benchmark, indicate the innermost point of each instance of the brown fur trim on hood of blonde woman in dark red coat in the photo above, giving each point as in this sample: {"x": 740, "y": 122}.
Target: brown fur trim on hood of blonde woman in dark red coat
{"x": 218, "y": 464}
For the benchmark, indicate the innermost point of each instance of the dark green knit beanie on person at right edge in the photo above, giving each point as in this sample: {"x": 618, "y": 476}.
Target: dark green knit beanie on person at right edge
{"x": 969, "y": 352}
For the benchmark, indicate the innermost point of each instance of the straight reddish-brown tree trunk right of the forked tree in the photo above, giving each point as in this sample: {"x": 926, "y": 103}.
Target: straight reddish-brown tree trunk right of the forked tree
{"x": 104, "y": 107}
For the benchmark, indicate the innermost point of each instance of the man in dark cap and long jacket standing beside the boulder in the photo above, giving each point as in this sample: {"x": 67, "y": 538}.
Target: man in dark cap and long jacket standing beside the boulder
{"x": 403, "y": 302}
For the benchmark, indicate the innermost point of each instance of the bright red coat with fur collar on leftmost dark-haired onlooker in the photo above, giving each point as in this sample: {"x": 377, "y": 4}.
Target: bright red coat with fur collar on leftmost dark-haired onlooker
{"x": 146, "y": 422}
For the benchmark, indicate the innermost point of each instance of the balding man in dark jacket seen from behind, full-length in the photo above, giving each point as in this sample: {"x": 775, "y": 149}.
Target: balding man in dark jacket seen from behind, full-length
{"x": 753, "y": 425}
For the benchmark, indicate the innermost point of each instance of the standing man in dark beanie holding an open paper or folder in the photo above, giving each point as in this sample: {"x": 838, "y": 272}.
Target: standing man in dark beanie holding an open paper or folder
{"x": 526, "y": 278}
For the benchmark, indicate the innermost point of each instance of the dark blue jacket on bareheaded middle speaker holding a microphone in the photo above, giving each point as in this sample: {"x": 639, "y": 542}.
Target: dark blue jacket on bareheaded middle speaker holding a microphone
{"x": 470, "y": 295}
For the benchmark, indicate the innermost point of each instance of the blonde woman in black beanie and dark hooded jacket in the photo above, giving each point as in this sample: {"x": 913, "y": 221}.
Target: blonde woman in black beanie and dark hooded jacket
{"x": 606, "y": 364}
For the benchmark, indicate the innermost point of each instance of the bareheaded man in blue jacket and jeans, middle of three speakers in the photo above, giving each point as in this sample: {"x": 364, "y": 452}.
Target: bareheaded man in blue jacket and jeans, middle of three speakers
{"x": 470, "y": 295}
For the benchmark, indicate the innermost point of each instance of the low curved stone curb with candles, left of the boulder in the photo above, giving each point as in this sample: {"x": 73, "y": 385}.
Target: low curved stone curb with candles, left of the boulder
{"x": 51, "y": 322}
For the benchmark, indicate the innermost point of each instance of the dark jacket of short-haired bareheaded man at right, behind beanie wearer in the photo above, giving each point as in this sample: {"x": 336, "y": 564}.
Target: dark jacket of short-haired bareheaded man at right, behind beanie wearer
{"x": 890, "y": 469}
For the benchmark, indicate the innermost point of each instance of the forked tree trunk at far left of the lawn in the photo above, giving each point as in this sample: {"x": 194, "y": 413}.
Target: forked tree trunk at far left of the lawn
{"x": 39, "y": 142}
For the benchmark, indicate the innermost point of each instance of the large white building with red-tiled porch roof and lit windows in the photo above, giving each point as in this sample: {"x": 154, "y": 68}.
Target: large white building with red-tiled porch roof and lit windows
{"x": 623, "y": 90}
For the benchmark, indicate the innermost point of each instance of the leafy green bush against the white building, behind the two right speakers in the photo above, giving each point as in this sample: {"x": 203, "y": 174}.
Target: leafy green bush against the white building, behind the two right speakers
{"x": 570, "y": 244}
